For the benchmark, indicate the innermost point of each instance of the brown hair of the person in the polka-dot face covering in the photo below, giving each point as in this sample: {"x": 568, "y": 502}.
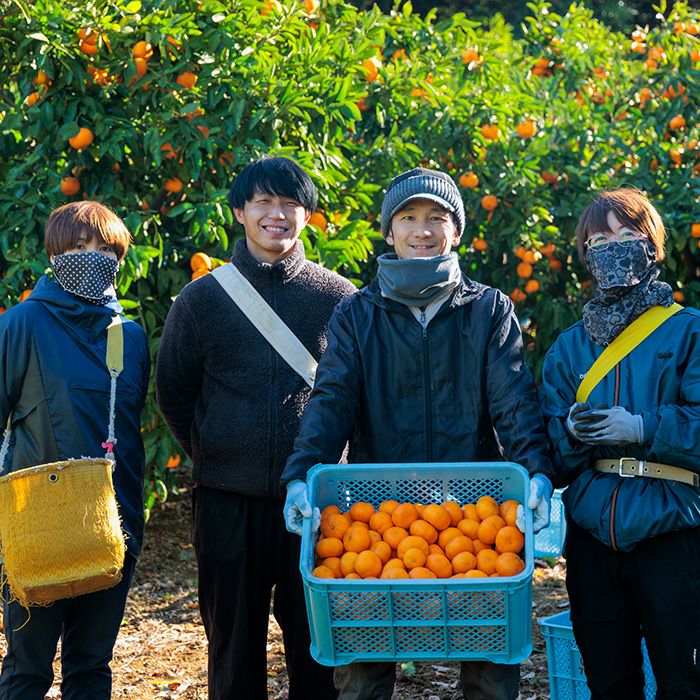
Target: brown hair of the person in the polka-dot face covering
{"x": 69, "y": 223}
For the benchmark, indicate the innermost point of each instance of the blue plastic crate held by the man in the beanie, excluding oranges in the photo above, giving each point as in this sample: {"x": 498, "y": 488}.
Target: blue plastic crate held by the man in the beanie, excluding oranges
{"x": 417, "y": 619}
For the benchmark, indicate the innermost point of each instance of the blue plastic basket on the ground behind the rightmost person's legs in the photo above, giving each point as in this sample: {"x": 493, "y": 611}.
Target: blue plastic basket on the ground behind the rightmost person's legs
{"x": 567, "y": 679}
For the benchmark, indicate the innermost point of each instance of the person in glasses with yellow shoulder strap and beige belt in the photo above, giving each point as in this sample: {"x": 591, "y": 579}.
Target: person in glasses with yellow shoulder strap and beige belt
{"x": 621, "y": 397}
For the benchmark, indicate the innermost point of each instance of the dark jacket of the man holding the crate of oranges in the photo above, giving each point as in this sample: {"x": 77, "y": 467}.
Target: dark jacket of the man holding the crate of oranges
{"x": 458, "y": 390}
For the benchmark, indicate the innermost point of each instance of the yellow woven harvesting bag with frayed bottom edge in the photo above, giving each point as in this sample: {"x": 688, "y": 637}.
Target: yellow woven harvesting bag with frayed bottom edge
{"x": 60, "y": 533}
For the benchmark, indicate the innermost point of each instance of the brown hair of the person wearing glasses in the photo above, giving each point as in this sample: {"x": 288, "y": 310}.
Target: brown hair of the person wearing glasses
{"x": 631, "y": 208}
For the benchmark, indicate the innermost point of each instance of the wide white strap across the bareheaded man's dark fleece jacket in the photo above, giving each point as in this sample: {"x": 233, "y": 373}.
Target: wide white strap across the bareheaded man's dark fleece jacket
{"x": 272, "y": 327}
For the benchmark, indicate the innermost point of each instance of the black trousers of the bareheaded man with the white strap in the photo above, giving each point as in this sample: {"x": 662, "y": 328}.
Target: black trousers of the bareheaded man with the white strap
{"x": 243, "y": 550}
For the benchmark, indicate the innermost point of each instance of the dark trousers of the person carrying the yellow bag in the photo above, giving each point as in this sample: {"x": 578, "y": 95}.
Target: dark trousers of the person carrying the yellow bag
{"x": 87, "y": 626}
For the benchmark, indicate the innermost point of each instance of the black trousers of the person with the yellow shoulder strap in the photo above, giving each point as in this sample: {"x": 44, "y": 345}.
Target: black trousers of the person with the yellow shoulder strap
{"x": 616, "y": 597}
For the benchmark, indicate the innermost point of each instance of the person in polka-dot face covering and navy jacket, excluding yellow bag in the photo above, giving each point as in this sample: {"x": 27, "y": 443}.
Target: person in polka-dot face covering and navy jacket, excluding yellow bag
{"x": 55, "y": 387}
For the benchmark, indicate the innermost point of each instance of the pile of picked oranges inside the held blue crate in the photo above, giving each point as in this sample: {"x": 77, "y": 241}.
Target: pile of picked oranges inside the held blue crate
{"x": 412, "y": 540}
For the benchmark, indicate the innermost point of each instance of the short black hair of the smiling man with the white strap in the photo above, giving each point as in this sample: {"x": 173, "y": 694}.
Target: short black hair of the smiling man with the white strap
{"x": 276, "y": 176}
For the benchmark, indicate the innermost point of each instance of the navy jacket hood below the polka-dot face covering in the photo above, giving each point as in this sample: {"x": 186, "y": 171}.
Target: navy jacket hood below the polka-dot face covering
{"x": 80, "y": 318}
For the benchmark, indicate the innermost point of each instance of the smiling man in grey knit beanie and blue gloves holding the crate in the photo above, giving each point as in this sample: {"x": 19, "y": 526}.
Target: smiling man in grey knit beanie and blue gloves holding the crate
{"x": 423, "y": 365}
